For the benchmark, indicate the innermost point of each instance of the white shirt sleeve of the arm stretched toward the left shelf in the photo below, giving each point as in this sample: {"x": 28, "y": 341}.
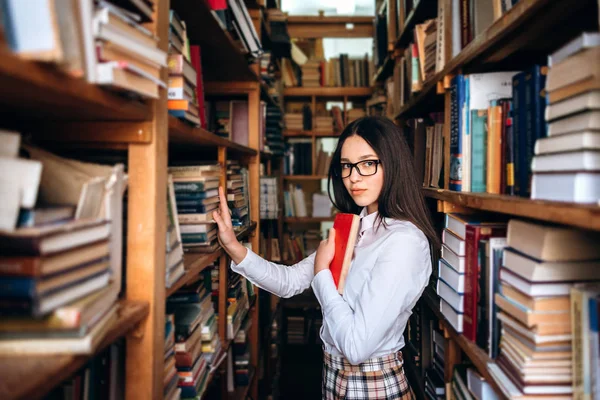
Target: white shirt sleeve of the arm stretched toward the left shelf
{"x": 281, "y": 280}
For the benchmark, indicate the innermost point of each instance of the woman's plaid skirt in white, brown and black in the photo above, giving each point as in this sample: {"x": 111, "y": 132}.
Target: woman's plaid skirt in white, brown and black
{"x": 376, "y": 379}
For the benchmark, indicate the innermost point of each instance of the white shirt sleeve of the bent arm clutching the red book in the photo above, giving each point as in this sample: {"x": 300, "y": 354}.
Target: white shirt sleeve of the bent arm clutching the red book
{"x": 395, "y": 283}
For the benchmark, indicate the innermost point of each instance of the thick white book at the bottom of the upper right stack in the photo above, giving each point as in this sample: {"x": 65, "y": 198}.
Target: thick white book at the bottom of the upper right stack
{"x": 577, "y": 187}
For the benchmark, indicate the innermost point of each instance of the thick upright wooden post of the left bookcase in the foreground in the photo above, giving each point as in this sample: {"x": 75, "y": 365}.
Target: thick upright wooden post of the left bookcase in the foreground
{"x": 146, "y": 227}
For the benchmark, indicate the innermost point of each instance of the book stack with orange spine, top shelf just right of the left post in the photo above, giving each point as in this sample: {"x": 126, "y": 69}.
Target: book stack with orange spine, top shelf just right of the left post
{"x": 183, "y": 79}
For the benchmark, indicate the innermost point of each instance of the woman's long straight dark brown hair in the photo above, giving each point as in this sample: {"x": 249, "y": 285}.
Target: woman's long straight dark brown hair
{"x": 401, "y": 197}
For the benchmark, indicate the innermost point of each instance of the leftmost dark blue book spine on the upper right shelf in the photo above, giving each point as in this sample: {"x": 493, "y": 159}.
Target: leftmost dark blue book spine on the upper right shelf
{"x": 457, "y": 93}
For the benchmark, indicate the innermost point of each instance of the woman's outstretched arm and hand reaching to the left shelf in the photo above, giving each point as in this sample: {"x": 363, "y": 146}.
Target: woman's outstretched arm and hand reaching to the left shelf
{"x": 280, "y": 280}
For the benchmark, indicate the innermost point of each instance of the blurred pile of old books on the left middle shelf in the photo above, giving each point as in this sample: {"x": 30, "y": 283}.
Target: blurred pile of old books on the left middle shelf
{"x": 60, "y": 250}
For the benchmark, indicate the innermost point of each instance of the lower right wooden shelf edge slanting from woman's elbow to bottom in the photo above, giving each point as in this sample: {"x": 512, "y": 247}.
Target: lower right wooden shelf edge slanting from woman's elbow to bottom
{"x": 477, "y": 356}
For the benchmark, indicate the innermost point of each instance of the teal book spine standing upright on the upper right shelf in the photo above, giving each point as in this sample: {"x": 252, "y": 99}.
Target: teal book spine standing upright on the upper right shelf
{"x": 479, "y": 151}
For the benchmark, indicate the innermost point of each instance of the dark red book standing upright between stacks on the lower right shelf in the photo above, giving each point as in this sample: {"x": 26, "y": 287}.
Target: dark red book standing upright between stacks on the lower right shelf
{"x": 474, "y": 233}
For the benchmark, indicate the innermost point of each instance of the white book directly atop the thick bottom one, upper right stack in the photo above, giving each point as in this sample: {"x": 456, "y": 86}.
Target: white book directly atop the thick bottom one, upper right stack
{"x": 571, "y": 161}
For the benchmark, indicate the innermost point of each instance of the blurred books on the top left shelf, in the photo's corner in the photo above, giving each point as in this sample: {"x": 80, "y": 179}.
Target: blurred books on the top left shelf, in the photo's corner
{"x": 105, "y": 43}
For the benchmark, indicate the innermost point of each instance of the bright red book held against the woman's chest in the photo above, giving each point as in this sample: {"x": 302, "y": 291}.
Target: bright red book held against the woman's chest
{"x": 346, "y": 229}
